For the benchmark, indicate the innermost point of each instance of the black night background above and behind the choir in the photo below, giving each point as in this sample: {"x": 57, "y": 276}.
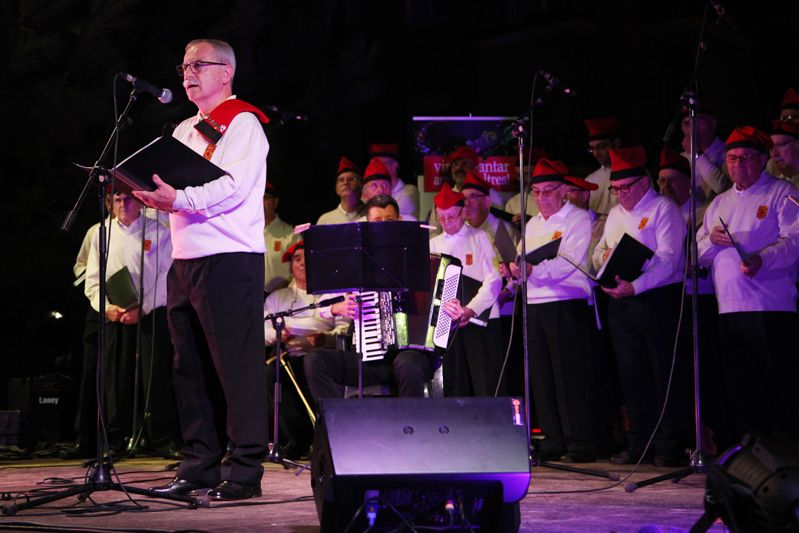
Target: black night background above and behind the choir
{"x": 359, "y": 69}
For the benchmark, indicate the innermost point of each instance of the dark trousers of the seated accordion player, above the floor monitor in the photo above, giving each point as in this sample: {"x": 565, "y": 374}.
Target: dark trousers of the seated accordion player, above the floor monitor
{"x": 329, "y": 371}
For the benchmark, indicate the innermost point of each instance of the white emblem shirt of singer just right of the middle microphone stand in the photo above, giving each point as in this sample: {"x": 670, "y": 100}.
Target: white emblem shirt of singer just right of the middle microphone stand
{"x": 556, "y": 279}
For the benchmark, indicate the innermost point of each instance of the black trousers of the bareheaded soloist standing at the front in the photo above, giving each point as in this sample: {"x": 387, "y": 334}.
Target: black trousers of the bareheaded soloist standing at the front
{"x": 215, "y": 307}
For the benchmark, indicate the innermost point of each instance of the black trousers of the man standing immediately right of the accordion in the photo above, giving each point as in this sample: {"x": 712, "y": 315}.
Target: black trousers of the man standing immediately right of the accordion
{"x": 473, "y": 361}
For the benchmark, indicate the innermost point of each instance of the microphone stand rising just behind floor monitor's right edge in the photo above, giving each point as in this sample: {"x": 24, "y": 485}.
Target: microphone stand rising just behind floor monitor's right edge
{"x": 521, "y": 127}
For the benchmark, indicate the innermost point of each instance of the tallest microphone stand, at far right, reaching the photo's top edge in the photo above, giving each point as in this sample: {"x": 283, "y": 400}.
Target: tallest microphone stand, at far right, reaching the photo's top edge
{"x": 689, "y": 99}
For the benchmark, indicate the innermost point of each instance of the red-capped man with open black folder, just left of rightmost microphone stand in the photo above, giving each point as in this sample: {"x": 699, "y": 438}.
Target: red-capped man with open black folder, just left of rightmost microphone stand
{"x": 643, "y": 313}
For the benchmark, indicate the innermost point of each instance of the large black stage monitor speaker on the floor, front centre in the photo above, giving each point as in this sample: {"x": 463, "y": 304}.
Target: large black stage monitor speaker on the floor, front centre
{"x": 456, "y": 463}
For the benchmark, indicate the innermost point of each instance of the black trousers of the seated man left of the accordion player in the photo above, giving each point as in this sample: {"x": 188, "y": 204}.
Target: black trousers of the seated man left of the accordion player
{"x": 295, "y": 426}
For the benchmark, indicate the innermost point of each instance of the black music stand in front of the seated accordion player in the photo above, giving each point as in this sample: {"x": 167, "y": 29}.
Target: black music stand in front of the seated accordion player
{"x": 356, "y": 257}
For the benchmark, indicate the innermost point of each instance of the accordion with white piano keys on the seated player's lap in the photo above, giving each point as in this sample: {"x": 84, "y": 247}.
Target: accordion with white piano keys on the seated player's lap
{"x": 409, "y": 319}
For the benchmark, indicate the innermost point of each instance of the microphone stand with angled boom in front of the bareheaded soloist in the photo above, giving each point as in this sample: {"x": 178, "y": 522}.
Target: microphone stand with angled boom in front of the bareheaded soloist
{"x": 98, "y": 477}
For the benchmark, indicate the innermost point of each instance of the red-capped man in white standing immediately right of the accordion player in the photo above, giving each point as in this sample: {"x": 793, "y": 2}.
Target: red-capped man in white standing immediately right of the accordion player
{"x": 473, "y": 362}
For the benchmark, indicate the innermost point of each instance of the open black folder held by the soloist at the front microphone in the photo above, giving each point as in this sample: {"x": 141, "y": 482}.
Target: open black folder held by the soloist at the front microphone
{"x": 173, "y": 161}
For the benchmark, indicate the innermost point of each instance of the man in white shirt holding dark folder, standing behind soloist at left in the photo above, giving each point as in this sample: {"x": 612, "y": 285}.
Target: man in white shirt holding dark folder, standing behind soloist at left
{"x": 125, "y": 251}
